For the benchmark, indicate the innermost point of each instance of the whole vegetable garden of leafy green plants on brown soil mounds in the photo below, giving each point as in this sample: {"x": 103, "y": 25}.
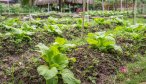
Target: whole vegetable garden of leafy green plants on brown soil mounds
{"x": 55, "y": 48}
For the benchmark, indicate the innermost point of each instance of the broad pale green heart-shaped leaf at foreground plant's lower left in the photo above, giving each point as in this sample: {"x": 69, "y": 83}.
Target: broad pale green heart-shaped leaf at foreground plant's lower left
{"x": 46, "y": 72}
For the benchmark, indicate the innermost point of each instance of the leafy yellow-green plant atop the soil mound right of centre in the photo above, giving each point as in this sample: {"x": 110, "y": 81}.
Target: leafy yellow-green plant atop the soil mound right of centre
{"x": 103, "y": 41}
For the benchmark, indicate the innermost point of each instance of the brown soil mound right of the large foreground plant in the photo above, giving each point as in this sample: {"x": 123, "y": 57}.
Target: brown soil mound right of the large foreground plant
{"x": 93, "y": 66}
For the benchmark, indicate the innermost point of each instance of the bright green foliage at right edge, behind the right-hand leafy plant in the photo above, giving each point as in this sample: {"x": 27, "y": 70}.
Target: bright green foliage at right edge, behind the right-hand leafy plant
{"x": 134, "y": 32}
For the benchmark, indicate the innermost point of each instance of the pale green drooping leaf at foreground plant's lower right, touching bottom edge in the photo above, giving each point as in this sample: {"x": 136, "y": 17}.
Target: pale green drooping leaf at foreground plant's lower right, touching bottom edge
{"x": 69, "y": 78}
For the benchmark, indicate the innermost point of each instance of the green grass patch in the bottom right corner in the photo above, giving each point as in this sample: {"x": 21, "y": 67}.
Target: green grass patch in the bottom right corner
{"x": 136, "y": 72}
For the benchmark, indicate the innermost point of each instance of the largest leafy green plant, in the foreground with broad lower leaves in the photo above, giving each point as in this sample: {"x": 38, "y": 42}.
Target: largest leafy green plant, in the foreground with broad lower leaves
{"x": 56, "y": 63}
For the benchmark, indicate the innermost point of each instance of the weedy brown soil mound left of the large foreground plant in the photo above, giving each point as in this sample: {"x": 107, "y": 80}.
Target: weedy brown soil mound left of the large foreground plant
{"x": 21, "y": 69}
